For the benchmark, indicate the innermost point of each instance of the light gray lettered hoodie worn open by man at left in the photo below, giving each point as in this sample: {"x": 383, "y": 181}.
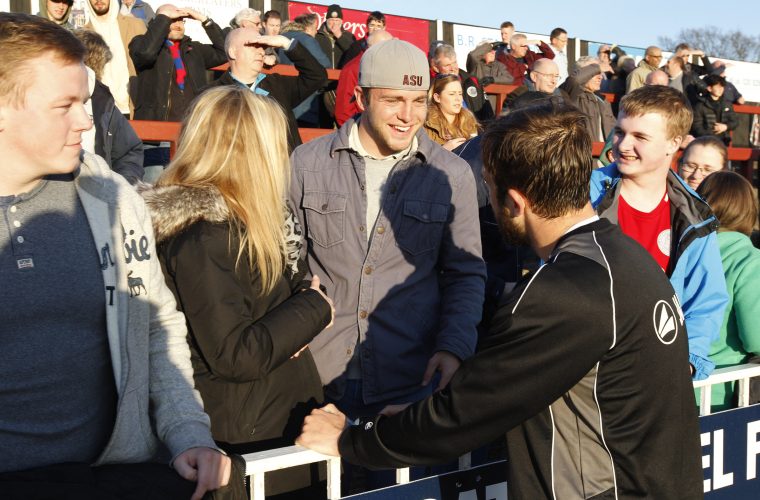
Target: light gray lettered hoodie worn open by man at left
{"x": 146, "y": 334}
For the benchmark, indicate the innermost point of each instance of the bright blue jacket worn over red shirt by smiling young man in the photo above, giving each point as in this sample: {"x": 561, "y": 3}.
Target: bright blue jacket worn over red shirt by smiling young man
{"x": 695, "y": 269}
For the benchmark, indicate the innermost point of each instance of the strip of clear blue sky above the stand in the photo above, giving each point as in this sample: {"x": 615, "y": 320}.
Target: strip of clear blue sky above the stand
{"x": 633, "y": 23}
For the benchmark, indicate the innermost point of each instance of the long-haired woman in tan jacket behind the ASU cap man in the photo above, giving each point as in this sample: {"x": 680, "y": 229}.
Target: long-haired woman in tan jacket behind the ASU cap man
{"x": 448, "y": 122}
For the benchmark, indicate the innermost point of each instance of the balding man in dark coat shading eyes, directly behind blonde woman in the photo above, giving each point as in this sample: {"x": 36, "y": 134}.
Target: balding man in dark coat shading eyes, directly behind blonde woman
{"x": 245, "y": 51}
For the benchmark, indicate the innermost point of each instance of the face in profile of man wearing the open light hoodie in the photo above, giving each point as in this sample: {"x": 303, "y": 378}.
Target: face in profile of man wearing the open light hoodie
{"x": 54, "y": 110}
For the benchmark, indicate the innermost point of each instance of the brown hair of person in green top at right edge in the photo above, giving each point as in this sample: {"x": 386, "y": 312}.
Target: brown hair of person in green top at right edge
{"x": 732, "y": 200}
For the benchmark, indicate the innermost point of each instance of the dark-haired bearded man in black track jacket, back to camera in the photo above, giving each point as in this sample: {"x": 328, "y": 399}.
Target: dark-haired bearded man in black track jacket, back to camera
{"x": 584, "y": 364}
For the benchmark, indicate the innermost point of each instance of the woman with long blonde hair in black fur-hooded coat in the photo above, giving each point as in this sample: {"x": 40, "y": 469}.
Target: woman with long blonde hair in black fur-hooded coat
{"x": 229, "y": 246}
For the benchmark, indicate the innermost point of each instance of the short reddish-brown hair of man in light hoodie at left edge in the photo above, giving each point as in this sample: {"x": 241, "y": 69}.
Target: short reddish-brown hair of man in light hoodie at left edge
{"x": 24, "y": 37}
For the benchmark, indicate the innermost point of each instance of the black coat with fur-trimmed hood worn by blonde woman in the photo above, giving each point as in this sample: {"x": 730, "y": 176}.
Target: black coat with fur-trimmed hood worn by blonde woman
{"x": 241, "y": 342}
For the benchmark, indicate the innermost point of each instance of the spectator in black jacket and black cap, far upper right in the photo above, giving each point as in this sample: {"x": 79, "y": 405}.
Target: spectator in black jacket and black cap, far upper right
{"x": 714, "y": 115}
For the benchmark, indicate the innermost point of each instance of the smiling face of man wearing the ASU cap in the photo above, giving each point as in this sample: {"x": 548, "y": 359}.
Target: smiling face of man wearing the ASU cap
{"x": 390, "y": 118}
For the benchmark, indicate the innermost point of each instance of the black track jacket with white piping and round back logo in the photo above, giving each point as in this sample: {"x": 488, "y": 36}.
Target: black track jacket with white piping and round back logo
{"x": 584, "y": 370}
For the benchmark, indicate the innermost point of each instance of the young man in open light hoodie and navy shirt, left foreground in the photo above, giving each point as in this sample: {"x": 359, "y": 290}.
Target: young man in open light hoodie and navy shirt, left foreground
{"x": 97, "y": 381}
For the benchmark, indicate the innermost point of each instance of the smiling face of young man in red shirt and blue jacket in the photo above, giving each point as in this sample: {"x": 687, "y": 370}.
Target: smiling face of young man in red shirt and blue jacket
{"x": 641, "y": 146}
